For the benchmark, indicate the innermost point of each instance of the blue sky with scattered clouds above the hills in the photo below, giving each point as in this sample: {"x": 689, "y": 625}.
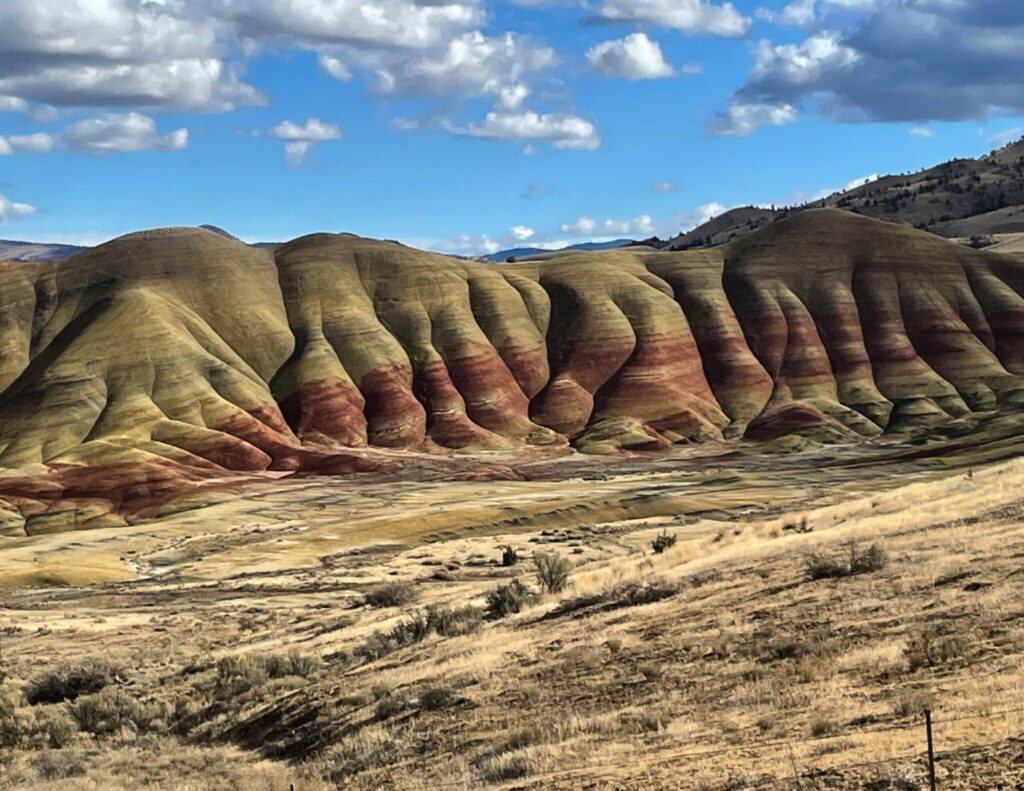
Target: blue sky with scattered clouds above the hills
{"x": 474, "y": 126}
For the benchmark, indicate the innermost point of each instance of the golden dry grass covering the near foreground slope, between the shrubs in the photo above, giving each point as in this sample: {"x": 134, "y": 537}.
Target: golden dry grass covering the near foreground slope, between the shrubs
{"x": 649, "y": 671}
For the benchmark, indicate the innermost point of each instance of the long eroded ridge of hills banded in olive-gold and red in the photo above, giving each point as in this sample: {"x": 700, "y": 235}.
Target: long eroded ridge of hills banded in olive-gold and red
{"x": 138, "y": 371}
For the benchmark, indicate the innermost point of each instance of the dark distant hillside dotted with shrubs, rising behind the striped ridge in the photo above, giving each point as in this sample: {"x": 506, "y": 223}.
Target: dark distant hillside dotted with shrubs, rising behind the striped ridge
{"x": 962, "y": 198}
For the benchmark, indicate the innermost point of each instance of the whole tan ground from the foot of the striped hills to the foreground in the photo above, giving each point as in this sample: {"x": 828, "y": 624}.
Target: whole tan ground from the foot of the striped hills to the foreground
{"x": 340, "y": 634}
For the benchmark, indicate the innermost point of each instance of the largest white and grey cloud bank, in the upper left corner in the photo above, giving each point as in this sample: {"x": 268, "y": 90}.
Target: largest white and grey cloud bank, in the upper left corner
{"x": 178, "y": 54}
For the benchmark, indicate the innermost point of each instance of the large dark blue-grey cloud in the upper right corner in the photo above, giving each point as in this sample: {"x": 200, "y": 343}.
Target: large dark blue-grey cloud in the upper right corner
{"x": 901, "y": 61}
